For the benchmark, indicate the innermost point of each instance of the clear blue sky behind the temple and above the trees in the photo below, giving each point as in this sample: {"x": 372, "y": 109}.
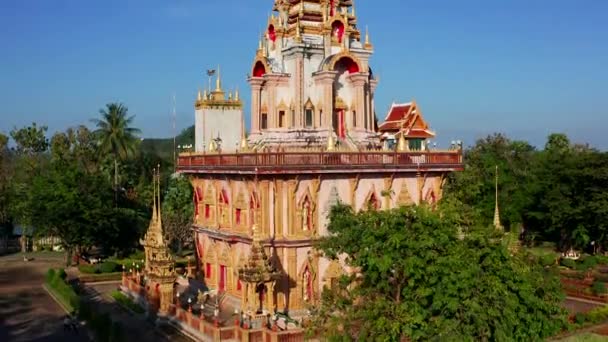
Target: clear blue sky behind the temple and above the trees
{"x": 523, "y": 67}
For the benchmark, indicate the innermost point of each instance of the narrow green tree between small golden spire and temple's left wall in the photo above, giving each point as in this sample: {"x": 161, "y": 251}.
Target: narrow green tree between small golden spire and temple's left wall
{"x": 178, "y": 212}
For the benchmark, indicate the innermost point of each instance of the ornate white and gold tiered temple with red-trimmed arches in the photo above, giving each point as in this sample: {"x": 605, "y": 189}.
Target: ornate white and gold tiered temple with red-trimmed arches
{"x": 313, "y": 142}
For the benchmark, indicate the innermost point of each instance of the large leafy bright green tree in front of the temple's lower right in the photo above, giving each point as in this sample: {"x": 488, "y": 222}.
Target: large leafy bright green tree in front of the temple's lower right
{"x": 418, "y": 277}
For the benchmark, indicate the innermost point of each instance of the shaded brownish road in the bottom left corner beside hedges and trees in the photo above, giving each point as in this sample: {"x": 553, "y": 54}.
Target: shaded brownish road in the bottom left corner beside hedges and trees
{"x": 27, "y": 312}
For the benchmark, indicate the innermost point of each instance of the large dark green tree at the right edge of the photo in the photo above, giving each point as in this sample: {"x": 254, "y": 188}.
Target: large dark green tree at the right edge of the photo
{"x": 569, "y": 201}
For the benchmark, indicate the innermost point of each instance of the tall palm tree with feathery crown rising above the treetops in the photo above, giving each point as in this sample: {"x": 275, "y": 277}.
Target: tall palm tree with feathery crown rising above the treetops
{"x": 115, "y": 134}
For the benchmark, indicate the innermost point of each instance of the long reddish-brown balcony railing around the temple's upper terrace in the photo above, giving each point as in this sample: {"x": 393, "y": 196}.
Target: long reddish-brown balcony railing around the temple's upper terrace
{"x": 292, "y": 161}
